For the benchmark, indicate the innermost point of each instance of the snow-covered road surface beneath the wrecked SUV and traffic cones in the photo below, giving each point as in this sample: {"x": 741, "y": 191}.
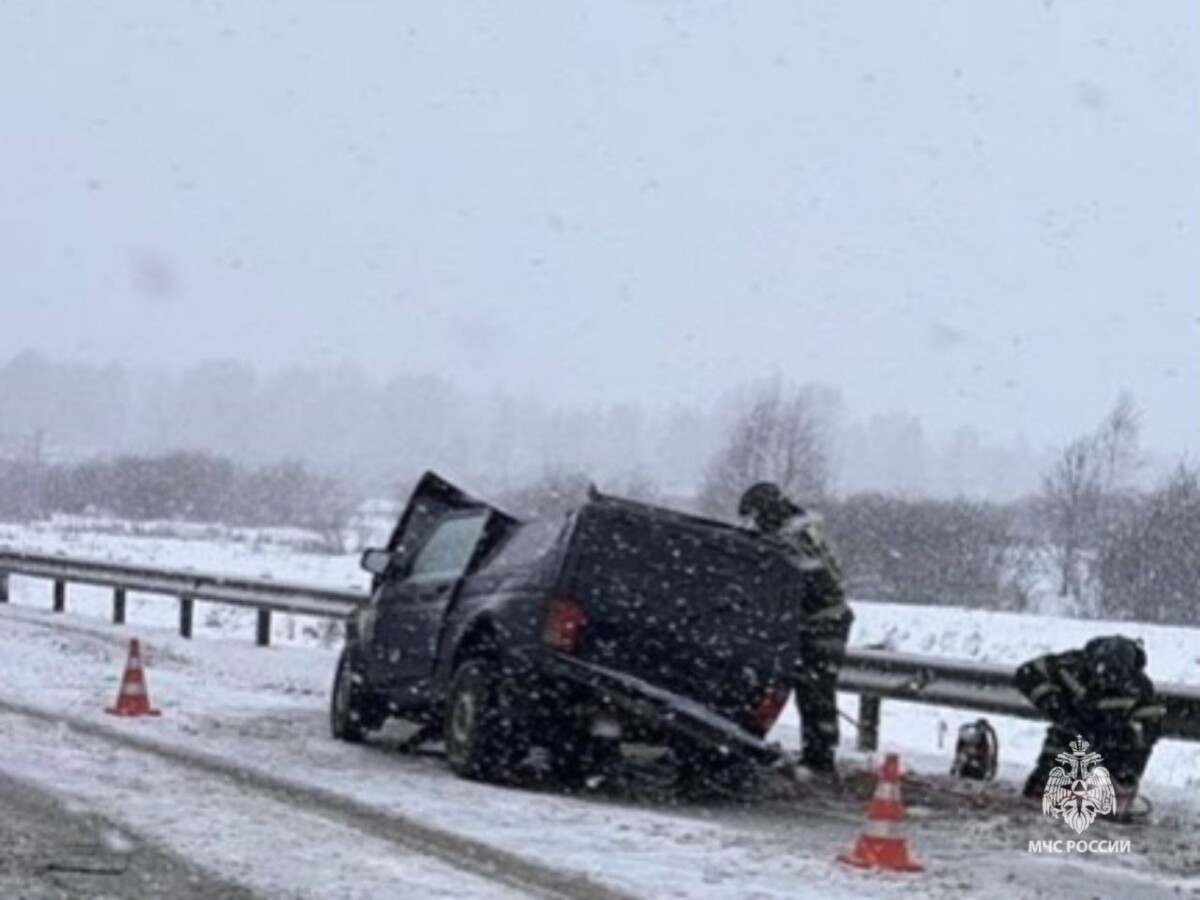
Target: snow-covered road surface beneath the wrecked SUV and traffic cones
{"x": 265, "y": 710}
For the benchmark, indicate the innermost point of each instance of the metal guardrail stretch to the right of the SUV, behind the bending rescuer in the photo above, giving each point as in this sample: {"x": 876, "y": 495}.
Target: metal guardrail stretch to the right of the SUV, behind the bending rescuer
{"x": 982, "y": 687}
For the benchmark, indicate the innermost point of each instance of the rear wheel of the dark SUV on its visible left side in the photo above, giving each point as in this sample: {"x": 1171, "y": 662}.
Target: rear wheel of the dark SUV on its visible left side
{"x": 481, "y": 729}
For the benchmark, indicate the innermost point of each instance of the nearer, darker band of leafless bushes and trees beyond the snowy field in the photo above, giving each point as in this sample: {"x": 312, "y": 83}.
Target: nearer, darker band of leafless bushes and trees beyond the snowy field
{"x": 1088, "y": 543}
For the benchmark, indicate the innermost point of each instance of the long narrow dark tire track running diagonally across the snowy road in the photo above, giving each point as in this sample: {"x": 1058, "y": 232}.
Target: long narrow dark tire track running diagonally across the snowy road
{"x": 458, "y": 851}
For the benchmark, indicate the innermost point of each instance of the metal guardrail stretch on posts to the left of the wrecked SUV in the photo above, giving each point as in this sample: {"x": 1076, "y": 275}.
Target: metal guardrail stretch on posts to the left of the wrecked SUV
{"x": 188, "y": 587}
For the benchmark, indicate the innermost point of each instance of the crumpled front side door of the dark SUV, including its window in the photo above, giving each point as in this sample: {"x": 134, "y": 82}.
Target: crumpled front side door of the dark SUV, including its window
{"x": 441, "y": 537}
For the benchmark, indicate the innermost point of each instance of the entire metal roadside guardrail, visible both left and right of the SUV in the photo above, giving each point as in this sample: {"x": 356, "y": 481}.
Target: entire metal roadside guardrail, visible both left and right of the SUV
{"x": 873, "y": 674}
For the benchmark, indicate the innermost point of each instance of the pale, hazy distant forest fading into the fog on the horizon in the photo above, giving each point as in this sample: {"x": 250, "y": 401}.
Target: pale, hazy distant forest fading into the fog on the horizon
{"x": 375, "y": 431}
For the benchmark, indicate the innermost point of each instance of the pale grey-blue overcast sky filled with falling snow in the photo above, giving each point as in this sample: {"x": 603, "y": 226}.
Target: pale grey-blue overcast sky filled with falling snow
{"x": 985, "y": 214}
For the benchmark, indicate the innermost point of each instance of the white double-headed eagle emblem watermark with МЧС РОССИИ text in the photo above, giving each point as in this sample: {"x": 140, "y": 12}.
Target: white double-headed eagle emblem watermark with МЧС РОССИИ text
{"x": 1078, "y": 793}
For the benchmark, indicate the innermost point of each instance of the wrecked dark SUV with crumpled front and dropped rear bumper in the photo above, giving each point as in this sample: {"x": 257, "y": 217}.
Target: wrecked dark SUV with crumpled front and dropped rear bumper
{"x": 615, "y": 623}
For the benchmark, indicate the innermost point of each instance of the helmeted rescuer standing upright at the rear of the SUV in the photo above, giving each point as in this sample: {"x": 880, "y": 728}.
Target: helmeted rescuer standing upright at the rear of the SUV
{"x": 825, "y": 622}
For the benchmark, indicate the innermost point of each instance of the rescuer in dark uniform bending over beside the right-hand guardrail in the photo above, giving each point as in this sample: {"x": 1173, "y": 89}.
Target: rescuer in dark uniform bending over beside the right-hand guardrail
{"x": 1103, "y": 694}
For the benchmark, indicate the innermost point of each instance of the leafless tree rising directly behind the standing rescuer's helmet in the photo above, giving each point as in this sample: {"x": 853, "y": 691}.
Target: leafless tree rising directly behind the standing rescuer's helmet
{"x": 781, "y": 436}
